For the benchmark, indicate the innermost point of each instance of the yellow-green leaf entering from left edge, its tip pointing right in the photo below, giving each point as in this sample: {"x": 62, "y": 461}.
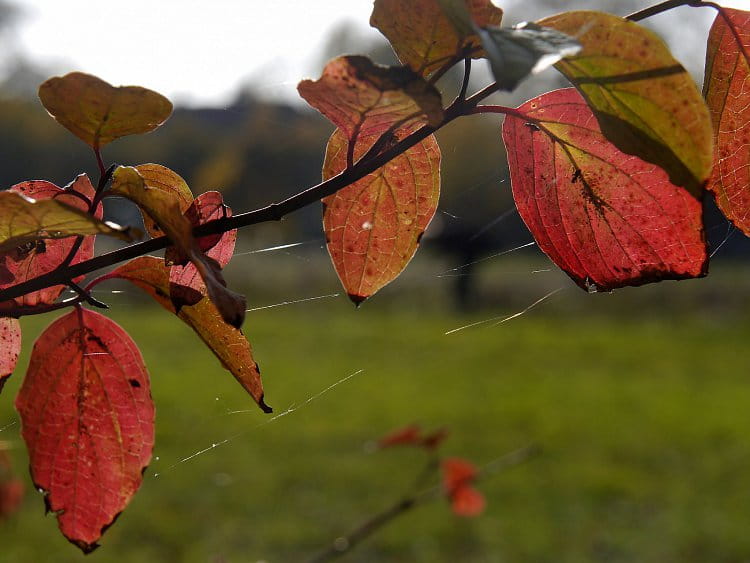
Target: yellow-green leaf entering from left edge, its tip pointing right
{"x": 24, "y": 220}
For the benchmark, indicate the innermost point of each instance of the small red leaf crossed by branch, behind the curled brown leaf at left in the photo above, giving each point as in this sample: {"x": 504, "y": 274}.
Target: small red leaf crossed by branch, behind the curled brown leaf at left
{"x": 186, "y": 286}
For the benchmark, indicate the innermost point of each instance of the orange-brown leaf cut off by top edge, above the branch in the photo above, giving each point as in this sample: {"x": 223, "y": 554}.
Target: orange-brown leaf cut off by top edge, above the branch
{"x": 427, "y": 34}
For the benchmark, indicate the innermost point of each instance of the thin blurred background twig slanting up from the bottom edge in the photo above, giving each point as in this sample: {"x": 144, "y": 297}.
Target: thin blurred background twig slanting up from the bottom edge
{"x": 344, "y": 544}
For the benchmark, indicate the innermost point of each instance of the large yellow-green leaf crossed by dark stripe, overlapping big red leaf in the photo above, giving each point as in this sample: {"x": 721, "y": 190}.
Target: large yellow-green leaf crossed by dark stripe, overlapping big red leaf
{"x": 645, "y": 101}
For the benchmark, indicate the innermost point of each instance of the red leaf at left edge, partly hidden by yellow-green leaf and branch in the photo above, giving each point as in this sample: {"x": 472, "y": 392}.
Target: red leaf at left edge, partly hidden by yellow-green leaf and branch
{"x": 35, "y": 259}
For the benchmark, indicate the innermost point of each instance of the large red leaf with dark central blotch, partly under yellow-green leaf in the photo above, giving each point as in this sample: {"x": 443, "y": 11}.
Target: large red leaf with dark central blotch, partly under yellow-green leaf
{"x": 607, "y": 218}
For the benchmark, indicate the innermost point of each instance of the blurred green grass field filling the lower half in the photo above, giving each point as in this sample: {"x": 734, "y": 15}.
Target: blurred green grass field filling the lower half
{"x": 642, "y": 417}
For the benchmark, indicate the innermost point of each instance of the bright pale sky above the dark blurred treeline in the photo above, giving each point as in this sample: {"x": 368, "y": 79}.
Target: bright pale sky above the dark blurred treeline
{"x": 200, "y": 51}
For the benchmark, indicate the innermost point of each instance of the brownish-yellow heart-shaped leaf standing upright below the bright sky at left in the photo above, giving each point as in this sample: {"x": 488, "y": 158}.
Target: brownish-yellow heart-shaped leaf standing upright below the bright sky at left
{"x": 97, "y": 112}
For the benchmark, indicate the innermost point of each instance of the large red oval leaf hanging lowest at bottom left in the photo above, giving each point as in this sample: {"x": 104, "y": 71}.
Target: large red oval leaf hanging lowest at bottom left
{"x": 88, "y": 422}
